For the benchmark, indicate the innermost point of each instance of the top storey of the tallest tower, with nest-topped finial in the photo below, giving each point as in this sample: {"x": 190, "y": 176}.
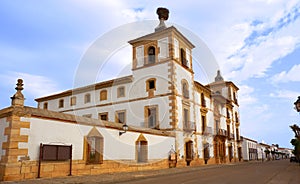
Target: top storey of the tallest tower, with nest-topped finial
{"x": 165, "y": 44}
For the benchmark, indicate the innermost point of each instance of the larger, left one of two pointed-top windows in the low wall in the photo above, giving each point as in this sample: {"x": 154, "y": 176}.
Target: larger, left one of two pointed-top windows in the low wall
{"x": 94, "y": 145}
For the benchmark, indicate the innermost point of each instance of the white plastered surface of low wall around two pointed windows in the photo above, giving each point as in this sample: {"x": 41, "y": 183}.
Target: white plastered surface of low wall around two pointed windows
{"x": 115, "y": 147}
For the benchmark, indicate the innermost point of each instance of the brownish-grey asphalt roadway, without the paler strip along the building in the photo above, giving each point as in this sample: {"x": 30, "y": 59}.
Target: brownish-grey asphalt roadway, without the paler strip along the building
{"x": 268, "y": 172}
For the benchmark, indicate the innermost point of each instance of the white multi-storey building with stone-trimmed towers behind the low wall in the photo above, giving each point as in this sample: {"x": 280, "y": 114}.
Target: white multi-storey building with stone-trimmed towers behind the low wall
{"x": 161, "y": 94}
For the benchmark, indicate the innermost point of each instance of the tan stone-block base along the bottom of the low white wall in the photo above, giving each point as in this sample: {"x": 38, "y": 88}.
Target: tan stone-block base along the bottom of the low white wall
{"x": 29, "y": 169}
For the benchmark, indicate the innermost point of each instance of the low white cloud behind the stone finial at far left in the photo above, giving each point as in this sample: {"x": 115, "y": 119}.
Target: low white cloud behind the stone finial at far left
{"x": 34, "y": 85}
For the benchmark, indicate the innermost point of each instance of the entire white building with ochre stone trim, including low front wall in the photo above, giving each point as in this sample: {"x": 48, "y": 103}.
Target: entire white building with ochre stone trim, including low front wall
{"x": 162, "y": 105}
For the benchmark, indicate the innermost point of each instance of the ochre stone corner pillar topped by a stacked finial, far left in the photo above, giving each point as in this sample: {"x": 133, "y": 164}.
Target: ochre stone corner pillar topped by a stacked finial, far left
{"x": 12, "y": 154}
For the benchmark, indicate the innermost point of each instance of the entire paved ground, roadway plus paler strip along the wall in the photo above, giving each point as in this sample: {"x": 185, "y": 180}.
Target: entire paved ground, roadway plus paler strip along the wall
{"x": 272, "y": 172}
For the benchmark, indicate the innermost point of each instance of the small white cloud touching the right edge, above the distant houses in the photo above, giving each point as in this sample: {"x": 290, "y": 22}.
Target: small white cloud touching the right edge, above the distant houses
{"x": 286, "y": 76}
